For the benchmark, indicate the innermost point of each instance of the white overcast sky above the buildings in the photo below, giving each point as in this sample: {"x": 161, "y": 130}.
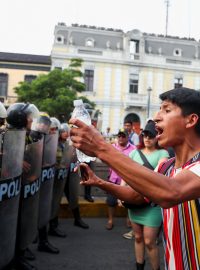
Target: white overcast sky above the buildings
{"x": 27, "y": 26}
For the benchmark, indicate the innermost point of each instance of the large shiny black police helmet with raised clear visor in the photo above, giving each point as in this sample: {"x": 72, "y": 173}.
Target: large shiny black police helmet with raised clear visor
{"x": 18, "y": 113}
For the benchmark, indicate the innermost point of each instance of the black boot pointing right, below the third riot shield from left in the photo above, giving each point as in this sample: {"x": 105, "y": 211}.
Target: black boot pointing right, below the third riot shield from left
{"x": 44, "y": 244}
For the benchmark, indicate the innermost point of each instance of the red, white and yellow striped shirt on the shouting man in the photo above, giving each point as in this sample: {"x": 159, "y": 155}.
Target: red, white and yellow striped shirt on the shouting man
{"x": 181, "y": 227}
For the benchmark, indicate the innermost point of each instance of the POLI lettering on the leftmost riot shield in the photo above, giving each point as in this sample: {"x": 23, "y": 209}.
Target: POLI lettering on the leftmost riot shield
{"x": 10, "y": 188}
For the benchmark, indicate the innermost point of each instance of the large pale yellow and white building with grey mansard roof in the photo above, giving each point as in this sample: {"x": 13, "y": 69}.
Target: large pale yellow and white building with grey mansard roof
{"x": 125, "y": 72}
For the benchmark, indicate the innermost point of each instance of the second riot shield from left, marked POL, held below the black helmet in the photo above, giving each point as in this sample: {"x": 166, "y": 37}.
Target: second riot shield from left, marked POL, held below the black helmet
{"x": 29, "y": 199}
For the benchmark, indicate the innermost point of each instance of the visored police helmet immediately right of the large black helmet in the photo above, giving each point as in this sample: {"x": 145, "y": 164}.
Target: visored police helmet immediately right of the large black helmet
{"x": 42, "y": 123}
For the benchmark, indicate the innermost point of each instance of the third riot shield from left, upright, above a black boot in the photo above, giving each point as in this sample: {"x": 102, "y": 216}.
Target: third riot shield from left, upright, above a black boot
{"x": 47, "y": 178}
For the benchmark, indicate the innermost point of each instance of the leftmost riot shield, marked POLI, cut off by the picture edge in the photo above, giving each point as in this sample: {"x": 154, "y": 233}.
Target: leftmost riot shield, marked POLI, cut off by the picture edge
{"x": 12, "y": 154}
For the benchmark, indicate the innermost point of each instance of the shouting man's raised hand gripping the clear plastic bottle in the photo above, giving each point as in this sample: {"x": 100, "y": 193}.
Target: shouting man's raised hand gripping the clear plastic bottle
{"x": 86, "y": 138}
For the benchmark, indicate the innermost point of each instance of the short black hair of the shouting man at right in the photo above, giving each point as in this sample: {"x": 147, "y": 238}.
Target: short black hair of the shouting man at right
{"x": 187, "y": 99}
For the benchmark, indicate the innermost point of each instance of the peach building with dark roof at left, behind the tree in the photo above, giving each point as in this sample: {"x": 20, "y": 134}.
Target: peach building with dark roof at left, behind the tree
{"x": 15, "y": 68}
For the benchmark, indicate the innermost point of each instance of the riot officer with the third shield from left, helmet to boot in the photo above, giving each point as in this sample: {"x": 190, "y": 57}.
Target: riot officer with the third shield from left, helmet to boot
{"x": 41, "y": 127}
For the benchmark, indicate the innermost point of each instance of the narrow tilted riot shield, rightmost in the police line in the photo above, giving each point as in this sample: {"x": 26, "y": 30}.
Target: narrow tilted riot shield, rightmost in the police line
{"x": 60, "y": 178}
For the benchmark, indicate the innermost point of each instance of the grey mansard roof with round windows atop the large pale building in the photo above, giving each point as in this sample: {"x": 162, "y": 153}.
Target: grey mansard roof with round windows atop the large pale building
{"x": 91, "y": 38}
